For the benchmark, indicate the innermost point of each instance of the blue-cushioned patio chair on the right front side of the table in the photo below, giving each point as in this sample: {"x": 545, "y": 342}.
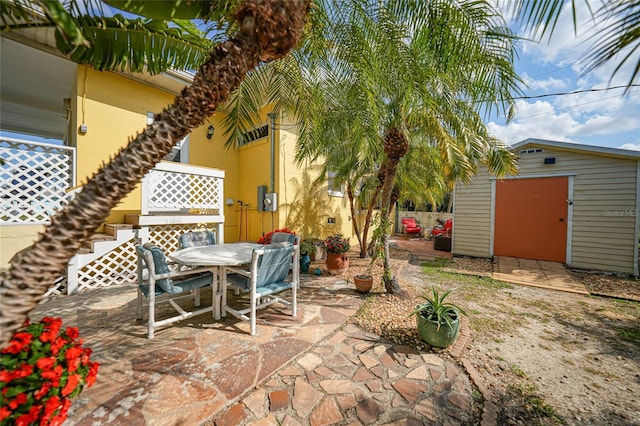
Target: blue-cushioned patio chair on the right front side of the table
{"x": 268, "y": 275}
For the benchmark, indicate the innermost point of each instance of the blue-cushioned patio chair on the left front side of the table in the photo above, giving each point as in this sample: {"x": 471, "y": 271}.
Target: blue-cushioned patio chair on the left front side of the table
{"x": 158, "y": 284}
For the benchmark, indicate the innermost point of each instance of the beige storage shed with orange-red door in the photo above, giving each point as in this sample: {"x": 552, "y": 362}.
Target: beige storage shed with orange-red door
{"x": 570, "y": 203}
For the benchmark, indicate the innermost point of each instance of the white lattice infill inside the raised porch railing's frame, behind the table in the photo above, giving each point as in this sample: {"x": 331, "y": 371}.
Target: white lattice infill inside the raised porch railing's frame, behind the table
{"x": 180, "y": 191}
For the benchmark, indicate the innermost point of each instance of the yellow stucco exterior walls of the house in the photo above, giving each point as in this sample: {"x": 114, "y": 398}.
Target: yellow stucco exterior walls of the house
{"x": 114, "y": 108}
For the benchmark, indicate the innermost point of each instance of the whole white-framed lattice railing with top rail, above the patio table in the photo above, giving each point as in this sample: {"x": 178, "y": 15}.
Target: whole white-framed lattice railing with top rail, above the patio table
{"x": 176, "y": 187}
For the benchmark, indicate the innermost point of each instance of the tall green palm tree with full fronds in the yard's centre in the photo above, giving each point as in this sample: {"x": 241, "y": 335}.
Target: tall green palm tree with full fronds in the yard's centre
{"x": 420, "y": 69}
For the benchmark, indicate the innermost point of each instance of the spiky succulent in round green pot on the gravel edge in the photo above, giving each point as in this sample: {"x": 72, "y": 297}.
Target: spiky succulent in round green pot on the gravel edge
{"x": 438, "y": 321}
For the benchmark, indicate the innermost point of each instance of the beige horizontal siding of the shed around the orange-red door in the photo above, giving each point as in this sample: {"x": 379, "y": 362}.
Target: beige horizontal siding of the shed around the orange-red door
{"x": 604, "y": 206}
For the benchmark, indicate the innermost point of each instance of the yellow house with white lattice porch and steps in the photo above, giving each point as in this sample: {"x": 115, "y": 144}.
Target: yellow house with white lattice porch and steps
{"x": 60, "y": 121}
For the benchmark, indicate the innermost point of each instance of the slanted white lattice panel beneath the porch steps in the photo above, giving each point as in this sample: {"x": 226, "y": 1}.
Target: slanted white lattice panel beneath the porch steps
{"x": 116, "y": 267}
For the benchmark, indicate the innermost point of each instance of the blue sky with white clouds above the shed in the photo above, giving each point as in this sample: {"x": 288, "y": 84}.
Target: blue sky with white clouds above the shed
{"x": 604, "y": 118}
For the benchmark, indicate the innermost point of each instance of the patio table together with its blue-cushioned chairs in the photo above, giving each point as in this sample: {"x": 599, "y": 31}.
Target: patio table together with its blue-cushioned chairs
{"x": 262, "y": 271}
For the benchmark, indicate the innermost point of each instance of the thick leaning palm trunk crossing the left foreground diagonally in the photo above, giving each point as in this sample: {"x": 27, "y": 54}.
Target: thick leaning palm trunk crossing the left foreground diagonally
{"x": 269, "y": 30}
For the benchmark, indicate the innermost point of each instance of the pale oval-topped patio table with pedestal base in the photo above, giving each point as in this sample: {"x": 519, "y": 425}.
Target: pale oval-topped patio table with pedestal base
{"x": 218, "y": 256}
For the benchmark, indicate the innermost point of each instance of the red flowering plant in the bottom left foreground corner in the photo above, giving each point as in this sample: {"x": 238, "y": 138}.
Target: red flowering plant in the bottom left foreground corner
{"x": 40, "y": 371}
